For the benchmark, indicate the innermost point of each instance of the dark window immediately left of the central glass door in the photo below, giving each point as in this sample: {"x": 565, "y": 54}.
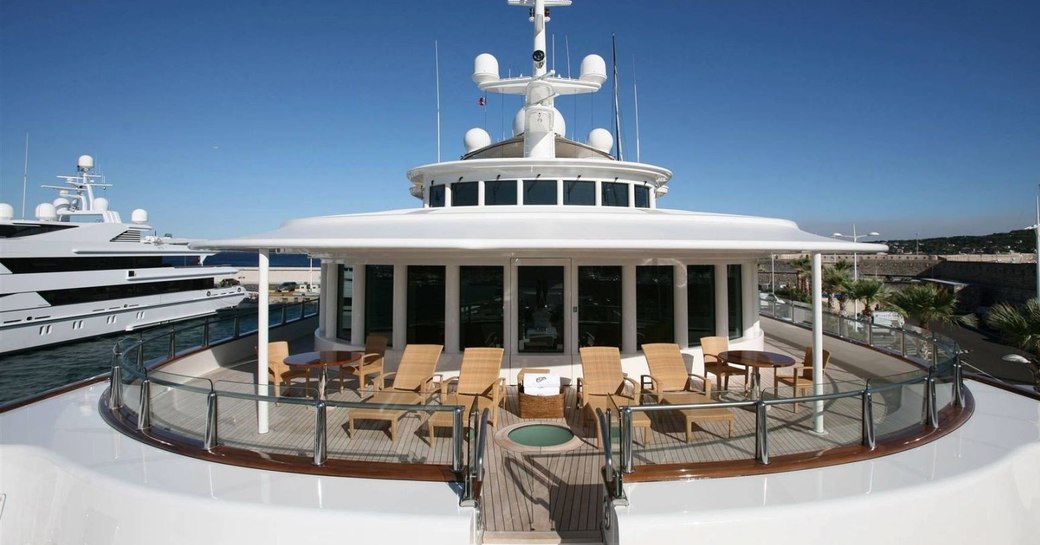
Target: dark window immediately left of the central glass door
{"x": 481, "y": 306}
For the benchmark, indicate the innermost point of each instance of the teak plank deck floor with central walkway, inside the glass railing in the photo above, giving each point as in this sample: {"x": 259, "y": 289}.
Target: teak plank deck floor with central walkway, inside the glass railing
{"x": 544, "y": 494}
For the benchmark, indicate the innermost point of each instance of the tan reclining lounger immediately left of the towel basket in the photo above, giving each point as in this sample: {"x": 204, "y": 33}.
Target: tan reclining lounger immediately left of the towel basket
{"x": 479, "y": 385}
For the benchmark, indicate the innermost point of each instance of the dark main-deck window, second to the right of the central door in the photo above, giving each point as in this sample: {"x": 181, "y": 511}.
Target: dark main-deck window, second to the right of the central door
{"x": 655, "y": 304}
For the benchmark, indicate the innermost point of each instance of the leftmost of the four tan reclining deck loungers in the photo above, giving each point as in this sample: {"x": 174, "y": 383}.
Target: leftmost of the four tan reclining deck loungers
{"x": 412, "y": 385}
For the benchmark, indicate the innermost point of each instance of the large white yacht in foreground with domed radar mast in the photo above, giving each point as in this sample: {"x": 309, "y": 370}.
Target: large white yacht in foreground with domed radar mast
{"x": 540, "y": 246}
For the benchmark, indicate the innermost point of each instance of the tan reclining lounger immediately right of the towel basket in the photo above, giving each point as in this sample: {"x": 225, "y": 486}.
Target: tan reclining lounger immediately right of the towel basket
{"x": 605, "y": 386}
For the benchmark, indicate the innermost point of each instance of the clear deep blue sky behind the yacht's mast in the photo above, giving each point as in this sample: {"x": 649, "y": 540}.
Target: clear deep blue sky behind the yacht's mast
{"x": 226, "y": 119}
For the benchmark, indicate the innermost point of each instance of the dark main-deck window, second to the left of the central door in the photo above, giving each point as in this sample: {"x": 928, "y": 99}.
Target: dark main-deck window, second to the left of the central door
{"x": 426, "y": 305}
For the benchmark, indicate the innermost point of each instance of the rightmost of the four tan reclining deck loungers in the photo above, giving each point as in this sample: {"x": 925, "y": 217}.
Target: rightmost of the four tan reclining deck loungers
{"x": 670, "y": 382}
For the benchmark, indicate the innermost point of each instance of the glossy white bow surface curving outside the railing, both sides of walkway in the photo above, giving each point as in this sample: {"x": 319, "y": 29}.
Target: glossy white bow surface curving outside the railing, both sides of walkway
{"x": 67, "y": 478}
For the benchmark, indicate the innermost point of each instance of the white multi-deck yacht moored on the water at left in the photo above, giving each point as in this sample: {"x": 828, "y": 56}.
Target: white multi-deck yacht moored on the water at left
{"x": 77, "y": 271}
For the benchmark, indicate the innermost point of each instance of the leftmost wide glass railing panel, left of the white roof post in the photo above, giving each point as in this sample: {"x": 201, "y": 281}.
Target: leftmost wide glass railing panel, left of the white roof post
{"x": 179, "y": 403}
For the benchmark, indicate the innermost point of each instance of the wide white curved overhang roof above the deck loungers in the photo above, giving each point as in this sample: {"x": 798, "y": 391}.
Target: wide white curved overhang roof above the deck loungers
{"x": 532, "y": 229}
